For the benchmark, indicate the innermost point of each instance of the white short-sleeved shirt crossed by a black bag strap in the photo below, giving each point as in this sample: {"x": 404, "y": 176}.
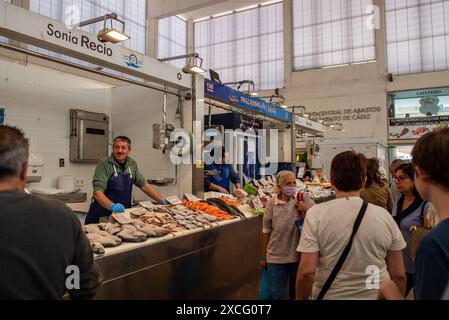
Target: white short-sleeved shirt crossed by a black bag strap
{"x": 327, "y": 229}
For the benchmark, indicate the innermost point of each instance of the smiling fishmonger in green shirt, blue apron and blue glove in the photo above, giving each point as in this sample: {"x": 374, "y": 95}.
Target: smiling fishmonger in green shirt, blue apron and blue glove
{"x": 113, "y": 181}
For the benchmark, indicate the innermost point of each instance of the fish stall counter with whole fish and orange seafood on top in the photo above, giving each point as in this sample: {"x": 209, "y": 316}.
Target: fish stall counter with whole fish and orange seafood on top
{"x": 178, "y": 252}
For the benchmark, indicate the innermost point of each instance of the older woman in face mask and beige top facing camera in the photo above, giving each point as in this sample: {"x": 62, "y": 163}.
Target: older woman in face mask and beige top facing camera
{"x": 280, "y": 238}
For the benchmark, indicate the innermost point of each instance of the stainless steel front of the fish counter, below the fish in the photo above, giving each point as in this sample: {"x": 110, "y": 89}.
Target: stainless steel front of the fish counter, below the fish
{"x": 217, "y": 263}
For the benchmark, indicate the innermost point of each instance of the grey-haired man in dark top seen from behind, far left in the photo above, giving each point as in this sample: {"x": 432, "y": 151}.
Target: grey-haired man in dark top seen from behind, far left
{"x": 42, "y": 243}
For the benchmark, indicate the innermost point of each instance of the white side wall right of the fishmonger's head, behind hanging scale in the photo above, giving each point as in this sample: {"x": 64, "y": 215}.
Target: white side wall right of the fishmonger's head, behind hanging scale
{"x": 134, "y": 111}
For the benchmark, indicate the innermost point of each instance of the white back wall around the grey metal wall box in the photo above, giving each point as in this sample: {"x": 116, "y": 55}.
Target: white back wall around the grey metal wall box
{"x": 38, "y": 100}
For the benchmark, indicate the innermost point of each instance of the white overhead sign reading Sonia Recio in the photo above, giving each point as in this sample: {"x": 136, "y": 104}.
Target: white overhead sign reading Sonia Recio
{"x": 22, "y": 25}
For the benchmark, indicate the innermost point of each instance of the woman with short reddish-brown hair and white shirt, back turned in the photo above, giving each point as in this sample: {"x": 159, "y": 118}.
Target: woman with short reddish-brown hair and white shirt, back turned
{"x": 376, "y": 248}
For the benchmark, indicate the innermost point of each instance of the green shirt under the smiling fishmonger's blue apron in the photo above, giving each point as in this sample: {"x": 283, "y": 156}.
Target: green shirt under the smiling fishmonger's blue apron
{"x": 105, "y": 170}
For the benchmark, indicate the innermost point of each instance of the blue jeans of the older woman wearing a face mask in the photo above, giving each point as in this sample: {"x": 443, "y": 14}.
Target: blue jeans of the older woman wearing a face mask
{"x": 279, "y": 275}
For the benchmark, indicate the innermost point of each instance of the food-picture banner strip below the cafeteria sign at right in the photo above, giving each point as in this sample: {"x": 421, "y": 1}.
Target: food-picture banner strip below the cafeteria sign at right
{"x": 415, "y": 128}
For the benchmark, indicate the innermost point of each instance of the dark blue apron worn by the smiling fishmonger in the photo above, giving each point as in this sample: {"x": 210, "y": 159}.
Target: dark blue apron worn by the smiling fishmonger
{"x": 119, "y": 190}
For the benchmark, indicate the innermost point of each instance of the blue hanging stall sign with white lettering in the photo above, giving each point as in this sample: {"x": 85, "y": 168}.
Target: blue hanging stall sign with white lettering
{"x": 225, "y": 94}
